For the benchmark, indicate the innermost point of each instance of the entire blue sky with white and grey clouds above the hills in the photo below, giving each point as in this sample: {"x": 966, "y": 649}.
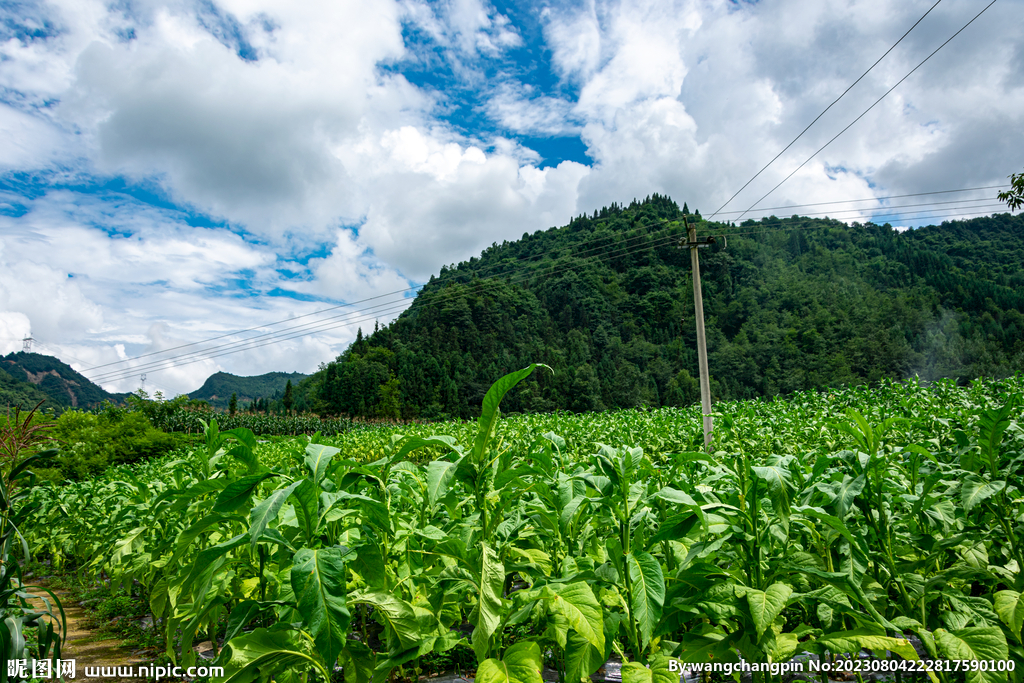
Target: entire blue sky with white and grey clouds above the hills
{"x": 176, "y": 172}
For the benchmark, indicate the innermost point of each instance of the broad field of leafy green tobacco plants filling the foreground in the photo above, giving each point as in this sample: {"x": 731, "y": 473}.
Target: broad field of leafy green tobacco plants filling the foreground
{"x": 827, "y": 524}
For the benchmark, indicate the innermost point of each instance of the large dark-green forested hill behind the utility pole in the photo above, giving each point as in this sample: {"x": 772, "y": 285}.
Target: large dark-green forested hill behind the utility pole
{"x": 607, "y": 302}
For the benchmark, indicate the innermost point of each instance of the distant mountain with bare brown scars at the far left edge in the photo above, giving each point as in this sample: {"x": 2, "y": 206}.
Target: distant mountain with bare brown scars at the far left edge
{"x": 64, "y": 388}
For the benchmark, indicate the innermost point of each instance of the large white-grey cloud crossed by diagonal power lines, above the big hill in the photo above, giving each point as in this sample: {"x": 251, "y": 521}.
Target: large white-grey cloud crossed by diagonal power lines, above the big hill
{"x": 693, "y": 100}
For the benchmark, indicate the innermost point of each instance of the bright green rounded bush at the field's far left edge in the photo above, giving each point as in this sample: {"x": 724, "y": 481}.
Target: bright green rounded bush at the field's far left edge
{"x": 91, "y": 443}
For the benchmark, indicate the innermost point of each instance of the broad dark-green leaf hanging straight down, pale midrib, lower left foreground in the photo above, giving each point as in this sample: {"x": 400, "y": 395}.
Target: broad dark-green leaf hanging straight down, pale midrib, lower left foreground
{"x": 319, "y": 582}
